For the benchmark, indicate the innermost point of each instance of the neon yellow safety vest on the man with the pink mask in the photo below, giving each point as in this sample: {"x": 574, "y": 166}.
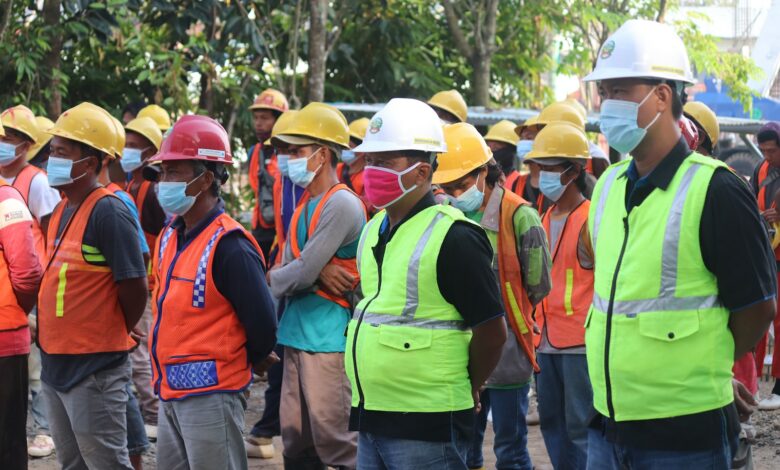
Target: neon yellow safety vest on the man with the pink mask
{"x": 407, "y": 347}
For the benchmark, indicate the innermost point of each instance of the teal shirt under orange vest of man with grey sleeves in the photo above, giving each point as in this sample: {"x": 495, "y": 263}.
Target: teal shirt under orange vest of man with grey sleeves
{"x": 310, "y": 322}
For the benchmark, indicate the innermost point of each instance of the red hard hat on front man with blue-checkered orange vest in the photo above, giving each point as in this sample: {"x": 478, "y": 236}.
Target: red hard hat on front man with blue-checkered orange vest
{"x": 195, "y": 138}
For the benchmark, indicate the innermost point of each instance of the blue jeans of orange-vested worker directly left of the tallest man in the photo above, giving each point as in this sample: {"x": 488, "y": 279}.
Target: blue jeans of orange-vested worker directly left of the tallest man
{"x": 565, "y": 408}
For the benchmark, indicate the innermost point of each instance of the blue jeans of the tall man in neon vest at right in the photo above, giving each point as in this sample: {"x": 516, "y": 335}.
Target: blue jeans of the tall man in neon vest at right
{"x": 603, "y": 455}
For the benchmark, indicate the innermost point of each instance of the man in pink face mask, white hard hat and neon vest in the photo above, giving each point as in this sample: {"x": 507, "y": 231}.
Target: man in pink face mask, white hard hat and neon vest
{"x": 430, "y": 328}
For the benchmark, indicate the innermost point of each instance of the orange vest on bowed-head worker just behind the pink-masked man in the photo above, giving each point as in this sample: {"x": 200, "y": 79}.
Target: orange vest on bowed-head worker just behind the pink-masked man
{"x": 518, "y": 307}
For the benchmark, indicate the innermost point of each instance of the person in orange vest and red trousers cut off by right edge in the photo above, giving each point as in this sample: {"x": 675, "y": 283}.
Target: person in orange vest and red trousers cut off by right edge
{"x": 766, "y": 186}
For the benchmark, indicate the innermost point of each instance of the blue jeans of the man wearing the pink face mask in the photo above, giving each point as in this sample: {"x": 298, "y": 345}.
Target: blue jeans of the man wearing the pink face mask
{"x": 388, "y": 453}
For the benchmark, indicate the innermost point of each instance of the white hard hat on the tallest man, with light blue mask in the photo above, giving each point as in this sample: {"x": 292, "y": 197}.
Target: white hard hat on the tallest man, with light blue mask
{"x": 643, "y": 49}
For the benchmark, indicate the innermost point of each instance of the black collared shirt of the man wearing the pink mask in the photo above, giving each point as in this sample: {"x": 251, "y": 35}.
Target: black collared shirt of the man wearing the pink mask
{"x": 467, "y": 281}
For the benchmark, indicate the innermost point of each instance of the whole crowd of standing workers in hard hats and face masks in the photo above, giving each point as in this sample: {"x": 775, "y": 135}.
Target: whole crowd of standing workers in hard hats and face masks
{"x": 402, "y": 283}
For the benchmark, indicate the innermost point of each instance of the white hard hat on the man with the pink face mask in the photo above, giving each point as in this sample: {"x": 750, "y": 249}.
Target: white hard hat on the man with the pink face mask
{"x": 404, "y": 124}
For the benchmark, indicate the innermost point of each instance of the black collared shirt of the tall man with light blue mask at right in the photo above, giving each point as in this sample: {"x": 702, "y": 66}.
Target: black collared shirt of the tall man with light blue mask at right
{"x": 735, "y": 248}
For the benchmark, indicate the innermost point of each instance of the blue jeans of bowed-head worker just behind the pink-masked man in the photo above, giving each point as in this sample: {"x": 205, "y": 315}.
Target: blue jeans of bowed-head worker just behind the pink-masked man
{"x": 511, "y": 434}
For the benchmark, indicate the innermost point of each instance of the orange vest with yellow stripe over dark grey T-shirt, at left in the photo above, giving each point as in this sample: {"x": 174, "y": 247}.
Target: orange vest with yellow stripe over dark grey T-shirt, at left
{"x": 78, "y": 304}
